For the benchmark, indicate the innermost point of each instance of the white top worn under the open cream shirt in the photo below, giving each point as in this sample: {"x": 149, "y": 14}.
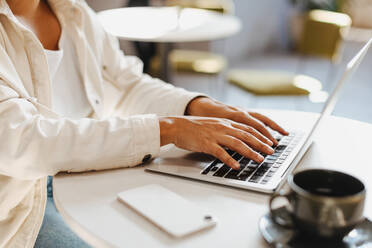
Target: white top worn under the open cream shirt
{"x": 68, "y": 93}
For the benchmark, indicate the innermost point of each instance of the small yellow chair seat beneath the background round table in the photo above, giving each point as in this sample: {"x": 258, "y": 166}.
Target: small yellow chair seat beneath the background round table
{"x": 197, "y": 61}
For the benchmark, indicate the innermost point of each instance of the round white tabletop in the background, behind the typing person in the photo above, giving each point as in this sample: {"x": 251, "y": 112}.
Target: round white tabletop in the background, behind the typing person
{"x": 168, "y": 24}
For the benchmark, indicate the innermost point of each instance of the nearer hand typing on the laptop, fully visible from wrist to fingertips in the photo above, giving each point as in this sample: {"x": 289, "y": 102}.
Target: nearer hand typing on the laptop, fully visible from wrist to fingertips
{"x": 211, "y": 135}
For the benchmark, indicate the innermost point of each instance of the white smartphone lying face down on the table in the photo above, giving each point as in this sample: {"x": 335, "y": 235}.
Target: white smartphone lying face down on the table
{"x": 167, "y": 210}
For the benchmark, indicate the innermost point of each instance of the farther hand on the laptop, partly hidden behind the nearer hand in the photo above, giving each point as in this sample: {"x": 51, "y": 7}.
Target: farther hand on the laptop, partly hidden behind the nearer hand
{"x": 204, "y": 106}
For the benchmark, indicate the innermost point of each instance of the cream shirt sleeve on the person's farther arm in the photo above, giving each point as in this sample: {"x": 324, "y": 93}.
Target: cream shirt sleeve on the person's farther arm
{"x": 142, "y": 93}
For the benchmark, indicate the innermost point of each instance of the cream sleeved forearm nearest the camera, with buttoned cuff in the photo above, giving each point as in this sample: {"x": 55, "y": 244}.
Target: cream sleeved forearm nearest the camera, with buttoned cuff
{"x": 37, "y": 146}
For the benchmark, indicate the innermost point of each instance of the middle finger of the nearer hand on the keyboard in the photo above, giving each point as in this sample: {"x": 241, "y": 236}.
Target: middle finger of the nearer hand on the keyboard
{"x": 250, "y": 140}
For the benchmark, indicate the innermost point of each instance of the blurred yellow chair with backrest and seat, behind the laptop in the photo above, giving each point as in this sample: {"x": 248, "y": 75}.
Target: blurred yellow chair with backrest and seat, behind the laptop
{"x": 322, "y": 36}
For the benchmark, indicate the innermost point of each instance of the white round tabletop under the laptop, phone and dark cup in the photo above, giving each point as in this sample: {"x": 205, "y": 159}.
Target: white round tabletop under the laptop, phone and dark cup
{"x": 88, "y": 203}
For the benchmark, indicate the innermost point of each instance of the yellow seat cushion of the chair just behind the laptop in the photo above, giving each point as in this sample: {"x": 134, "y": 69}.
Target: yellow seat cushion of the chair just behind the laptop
{"x": 263, "y": 82}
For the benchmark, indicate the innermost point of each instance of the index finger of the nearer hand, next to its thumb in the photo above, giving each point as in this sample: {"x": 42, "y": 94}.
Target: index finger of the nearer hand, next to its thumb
{"x": 240, "y": 147}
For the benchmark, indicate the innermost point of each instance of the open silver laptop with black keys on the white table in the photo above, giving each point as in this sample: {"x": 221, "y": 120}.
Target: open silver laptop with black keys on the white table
{"x": 272, "y": 172}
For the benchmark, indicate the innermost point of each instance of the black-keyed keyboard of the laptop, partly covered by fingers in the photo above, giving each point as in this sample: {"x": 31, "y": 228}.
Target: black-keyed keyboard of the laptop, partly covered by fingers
{"x": 251, "y": 171}
